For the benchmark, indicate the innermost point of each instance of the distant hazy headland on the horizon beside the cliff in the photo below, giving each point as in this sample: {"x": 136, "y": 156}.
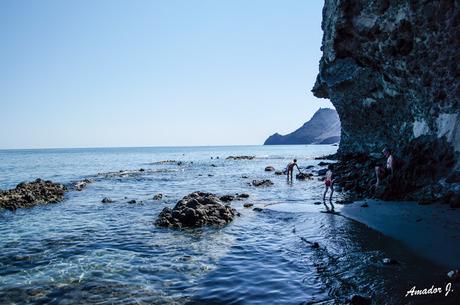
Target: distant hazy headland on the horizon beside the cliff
{"x": 323, "y": 128}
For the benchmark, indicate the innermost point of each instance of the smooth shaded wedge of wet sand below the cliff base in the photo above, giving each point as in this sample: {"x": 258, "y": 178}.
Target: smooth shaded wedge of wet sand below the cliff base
{"x": 428, "y": 230}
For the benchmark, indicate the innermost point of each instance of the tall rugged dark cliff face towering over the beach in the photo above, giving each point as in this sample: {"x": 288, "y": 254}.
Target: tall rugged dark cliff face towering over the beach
{"x": 392, "y": 70}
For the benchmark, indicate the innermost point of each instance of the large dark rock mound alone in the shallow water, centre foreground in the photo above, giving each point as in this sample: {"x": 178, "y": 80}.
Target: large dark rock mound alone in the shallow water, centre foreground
{"x": 196, "y": 210}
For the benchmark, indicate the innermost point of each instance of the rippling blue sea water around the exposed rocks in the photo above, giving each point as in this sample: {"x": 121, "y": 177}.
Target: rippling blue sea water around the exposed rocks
{"x": 82, "y": 251}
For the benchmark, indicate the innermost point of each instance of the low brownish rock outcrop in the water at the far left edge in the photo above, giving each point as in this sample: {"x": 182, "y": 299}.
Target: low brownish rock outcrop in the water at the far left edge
{"x": 32, "y": 193}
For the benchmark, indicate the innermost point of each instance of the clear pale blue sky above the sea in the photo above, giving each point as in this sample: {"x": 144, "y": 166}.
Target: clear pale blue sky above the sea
{"x": 148, "y": 73}
